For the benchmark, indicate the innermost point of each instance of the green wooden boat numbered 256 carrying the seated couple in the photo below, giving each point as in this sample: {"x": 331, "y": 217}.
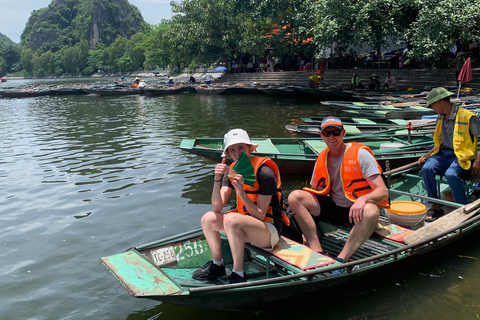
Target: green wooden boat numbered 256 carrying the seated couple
{"x": 161, "y": 270}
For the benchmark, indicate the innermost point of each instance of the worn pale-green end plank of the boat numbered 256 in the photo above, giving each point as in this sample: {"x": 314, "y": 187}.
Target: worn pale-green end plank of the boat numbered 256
{"x": 139, "y": 276}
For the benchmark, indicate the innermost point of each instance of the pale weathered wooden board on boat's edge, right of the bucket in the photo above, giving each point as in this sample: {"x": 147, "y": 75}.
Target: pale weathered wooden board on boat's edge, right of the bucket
{"x": 444, "y": 223}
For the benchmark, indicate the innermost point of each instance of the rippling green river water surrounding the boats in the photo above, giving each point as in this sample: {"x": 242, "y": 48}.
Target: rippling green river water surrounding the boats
{"x": 83, "y": 177}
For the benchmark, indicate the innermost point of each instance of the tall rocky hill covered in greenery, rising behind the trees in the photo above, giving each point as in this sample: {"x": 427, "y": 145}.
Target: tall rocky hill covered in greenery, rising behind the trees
{"x": 66, "y": 22}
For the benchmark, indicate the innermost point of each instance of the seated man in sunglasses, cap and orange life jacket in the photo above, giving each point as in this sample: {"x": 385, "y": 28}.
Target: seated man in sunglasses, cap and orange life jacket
{"x": 346, "y": 188}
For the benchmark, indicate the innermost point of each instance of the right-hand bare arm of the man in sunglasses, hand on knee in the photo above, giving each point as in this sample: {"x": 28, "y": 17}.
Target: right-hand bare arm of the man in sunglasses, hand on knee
{"x": 378, "y": 194}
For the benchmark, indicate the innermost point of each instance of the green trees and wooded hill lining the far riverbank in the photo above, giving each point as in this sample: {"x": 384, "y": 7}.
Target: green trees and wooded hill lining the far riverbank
{"x": 84, "y": 36}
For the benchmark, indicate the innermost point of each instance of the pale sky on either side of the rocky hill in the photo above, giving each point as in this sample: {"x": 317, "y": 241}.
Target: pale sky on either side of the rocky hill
{"x": 14, "y": 14}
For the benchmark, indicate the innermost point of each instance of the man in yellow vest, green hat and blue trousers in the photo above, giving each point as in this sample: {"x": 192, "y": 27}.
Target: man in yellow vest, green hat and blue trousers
{"x": 455, "y": 150}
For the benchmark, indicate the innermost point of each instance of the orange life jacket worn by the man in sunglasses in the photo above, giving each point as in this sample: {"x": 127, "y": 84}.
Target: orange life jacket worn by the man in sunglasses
{"x": 354, "y": 184}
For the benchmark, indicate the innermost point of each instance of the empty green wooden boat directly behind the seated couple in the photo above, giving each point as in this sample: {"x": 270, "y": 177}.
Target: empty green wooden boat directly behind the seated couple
{"x": 297, "y": 156}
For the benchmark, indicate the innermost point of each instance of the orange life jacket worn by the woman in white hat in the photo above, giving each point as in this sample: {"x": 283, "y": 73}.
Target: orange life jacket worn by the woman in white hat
{"x": 253, "y": 192}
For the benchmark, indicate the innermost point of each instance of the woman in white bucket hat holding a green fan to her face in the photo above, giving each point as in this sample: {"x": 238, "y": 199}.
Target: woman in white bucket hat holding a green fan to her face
{"x": 257, "y": 218}
